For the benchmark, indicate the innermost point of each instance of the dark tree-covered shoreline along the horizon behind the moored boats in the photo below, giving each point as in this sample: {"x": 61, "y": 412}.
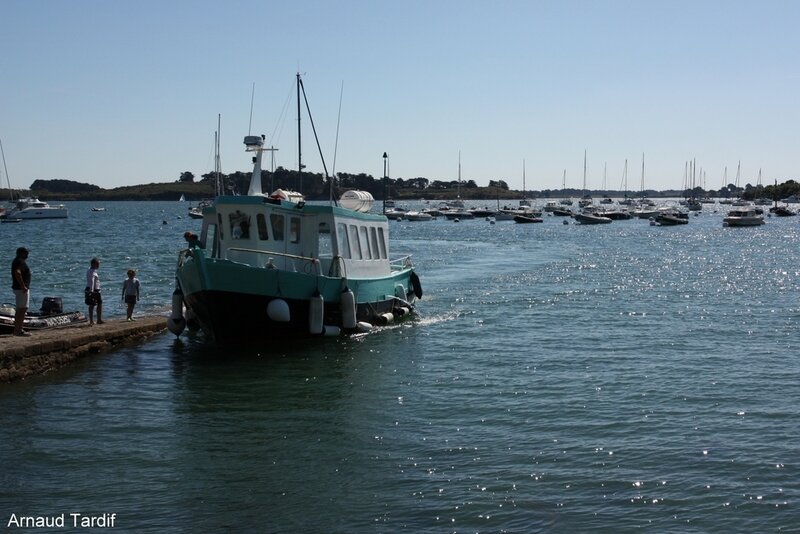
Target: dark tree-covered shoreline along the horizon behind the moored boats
{"x": 315, "y": 186}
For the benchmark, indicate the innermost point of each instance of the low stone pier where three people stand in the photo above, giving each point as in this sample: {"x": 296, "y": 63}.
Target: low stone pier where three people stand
{"x": 50, "y": 349}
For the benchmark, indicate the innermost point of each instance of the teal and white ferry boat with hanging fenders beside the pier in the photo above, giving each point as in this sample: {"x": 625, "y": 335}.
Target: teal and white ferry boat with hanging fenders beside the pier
{"x": 276, "y": 265}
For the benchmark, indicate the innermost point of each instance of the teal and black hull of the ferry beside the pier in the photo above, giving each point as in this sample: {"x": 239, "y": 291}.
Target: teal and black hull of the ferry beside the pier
{"x": 230, "y": 301}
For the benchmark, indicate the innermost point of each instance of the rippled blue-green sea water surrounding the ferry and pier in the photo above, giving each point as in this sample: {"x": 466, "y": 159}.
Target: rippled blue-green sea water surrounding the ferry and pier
{"x": 559, "y": 378}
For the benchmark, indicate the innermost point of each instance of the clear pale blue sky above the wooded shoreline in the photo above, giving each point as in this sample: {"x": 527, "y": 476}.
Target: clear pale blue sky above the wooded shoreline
{"x": 122, "y": 93}
